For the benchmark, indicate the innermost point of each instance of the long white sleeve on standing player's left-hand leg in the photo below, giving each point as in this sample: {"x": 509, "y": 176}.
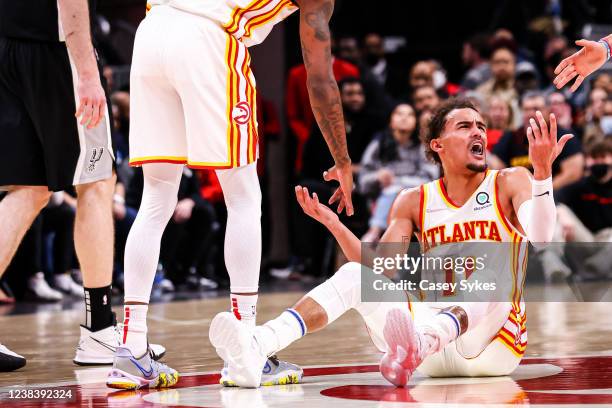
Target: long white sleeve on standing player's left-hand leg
{"x": 159, "y": 198}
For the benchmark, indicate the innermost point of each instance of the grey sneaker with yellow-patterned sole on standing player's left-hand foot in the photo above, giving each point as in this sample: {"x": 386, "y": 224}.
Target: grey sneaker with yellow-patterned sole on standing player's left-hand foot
{"x": 131, "y": 373}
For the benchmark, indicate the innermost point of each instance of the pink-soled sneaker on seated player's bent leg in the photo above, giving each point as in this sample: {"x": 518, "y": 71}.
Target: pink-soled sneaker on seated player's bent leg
{"x": 404, "y": 348}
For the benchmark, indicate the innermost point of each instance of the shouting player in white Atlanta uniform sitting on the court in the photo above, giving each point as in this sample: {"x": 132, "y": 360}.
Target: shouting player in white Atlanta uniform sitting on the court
{"x": 522, "y": 209}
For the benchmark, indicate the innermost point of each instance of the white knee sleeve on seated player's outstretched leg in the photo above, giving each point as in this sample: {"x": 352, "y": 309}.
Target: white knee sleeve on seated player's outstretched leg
{"x": 339, "y": 293}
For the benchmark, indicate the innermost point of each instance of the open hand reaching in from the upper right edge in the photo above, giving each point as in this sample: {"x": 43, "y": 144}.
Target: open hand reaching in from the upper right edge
{"x": 583, "y": 63}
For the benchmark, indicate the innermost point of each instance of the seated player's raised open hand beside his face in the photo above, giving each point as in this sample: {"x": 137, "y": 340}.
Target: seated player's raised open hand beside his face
{"x": 544, "y": 147}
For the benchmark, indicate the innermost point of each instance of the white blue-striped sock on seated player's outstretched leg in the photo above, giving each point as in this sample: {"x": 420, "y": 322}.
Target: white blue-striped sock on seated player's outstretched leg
{"x": 279, "y": 333}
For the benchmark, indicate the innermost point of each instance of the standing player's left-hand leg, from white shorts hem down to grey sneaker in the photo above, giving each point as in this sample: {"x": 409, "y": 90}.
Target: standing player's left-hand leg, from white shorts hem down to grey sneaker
{"x": 159, "y": 198}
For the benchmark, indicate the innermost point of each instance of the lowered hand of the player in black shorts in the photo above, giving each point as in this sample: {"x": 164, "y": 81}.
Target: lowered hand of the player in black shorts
{"x": 92, "y": 101}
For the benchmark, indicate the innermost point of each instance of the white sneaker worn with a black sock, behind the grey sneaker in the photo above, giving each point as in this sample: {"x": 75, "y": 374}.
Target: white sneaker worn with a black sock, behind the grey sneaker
{"x": 98, "y": 348}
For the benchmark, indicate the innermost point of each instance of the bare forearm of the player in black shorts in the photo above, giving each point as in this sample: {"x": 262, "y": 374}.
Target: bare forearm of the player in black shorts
{"x": 74, "y": 16}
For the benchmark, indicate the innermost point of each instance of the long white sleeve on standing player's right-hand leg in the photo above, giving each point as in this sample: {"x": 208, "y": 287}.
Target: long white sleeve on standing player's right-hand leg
{"x": 243, "y": 233}
